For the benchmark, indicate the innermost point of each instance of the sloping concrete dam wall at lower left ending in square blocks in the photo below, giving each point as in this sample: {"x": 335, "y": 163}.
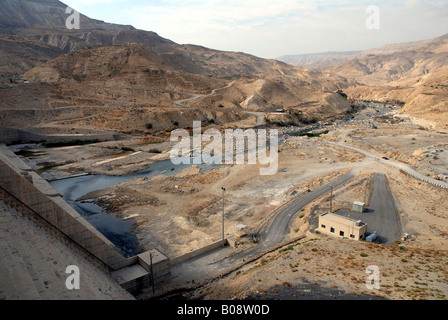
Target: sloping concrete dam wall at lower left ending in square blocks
{"x": 20, "y": 182}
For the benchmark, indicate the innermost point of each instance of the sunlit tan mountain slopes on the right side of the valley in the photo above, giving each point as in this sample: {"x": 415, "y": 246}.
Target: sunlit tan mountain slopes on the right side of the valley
{"x": 411, "y": 73}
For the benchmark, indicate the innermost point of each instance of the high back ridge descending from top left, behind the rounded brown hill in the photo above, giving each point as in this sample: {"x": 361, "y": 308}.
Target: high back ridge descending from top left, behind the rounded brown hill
{"x": 45, "y": 21}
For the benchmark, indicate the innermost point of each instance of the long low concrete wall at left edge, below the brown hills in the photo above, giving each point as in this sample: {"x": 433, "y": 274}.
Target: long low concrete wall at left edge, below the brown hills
{"x": 11, "y": 136}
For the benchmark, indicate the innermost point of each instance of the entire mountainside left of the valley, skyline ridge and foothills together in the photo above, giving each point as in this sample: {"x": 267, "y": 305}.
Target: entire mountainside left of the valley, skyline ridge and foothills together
{"x": 117, "y": 77}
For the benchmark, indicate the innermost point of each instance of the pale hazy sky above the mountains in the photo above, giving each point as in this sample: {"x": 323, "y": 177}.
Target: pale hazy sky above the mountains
{"x": 271, "y": 28}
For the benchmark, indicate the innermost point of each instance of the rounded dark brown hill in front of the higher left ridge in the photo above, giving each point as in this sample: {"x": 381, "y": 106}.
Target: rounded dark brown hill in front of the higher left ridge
{"x": 126, "y": 88}
